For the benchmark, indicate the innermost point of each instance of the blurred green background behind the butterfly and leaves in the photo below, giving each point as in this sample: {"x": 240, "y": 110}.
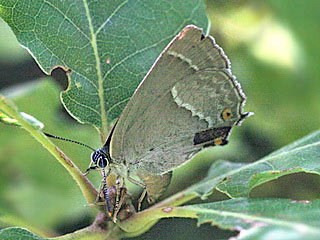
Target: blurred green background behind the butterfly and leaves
{"x": 275, "y": 53}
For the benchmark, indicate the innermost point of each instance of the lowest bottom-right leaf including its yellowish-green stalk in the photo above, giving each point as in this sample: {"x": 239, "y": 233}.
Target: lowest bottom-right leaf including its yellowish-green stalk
{"x": 297, "y": 217}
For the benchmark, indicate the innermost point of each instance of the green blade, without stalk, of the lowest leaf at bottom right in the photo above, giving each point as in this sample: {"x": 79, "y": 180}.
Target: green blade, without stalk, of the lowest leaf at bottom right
{"x": 274, "y": 214}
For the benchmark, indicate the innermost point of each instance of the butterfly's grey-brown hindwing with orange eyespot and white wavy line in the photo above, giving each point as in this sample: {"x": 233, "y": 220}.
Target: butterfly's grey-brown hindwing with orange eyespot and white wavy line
{"x": 165, "y": 136}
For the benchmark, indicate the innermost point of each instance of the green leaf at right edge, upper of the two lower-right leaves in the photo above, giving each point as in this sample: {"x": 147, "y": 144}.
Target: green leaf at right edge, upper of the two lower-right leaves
{"x": 300, "y": 156}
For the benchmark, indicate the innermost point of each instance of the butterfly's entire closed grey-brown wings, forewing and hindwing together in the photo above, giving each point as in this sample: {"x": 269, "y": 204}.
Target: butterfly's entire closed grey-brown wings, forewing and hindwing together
{"x": 183, "y": 95}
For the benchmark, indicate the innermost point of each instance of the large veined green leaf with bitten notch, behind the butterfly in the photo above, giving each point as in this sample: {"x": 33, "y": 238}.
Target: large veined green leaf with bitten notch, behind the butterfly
{"x": 108, "y": 46}
